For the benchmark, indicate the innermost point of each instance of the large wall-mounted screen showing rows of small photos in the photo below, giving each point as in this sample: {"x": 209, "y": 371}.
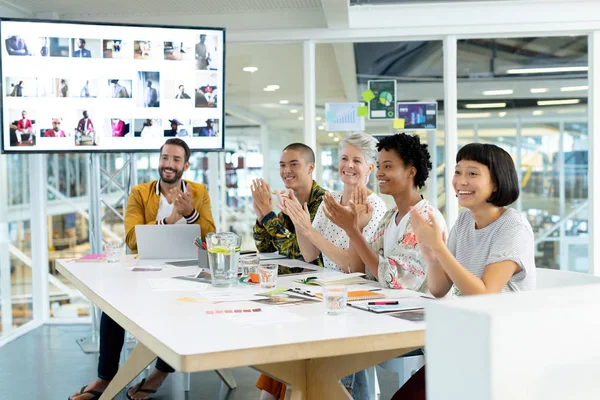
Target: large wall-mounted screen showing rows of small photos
{"x": 106, "y": 88}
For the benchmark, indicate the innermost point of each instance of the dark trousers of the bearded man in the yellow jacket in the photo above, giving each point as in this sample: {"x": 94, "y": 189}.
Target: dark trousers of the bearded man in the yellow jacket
{"x": 112, "y": 337}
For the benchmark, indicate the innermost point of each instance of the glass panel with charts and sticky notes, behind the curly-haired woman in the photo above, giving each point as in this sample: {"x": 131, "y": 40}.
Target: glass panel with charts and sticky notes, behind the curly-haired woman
{"x": 343, "y": 71}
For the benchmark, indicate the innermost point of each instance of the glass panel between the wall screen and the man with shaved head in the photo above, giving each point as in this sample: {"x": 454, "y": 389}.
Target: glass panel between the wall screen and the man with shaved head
{"x": 265, "y": 113}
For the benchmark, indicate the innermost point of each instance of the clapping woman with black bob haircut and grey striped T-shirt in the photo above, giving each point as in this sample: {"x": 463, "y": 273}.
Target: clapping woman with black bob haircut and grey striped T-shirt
{"x": 490, "y": 248}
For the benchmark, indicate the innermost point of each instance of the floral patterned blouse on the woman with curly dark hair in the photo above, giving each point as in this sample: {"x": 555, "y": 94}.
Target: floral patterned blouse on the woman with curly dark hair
{"x": 402, "y": 266}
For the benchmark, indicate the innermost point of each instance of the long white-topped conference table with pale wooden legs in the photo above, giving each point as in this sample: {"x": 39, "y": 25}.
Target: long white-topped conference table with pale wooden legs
{"x": 310, "y": 354}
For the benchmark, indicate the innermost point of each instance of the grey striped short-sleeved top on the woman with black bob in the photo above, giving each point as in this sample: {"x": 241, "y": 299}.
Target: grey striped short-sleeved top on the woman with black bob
{"x": 509, "y": 238}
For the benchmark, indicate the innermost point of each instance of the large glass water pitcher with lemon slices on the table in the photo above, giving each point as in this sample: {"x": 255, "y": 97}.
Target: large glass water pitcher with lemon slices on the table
{"x": 223, "y": 256}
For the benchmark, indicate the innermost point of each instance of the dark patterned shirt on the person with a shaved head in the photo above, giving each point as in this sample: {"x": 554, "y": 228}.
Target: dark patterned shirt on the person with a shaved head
{"x": 277, "y": 232}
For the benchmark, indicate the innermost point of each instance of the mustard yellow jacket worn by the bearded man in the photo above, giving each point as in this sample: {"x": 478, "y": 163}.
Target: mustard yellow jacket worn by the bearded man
{"x": 143, "y": 203}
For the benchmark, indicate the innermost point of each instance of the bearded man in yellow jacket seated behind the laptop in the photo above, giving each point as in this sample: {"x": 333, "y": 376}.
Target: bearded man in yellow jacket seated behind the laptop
{"x": 169, "y": 200}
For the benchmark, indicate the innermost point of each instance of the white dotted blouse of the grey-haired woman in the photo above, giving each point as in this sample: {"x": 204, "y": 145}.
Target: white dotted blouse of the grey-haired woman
{"x": 337, "y": 236}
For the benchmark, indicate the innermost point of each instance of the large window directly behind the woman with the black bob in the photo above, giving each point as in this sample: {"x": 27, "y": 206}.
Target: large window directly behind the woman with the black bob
{"x": 529, "y": 96}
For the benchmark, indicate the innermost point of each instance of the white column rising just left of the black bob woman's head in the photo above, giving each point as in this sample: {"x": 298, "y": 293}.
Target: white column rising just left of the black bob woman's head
{"x": 450, "y": 124}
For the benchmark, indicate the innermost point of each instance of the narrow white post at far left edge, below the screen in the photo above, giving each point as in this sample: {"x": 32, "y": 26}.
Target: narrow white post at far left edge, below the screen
{"x": 5, "y": 289}
